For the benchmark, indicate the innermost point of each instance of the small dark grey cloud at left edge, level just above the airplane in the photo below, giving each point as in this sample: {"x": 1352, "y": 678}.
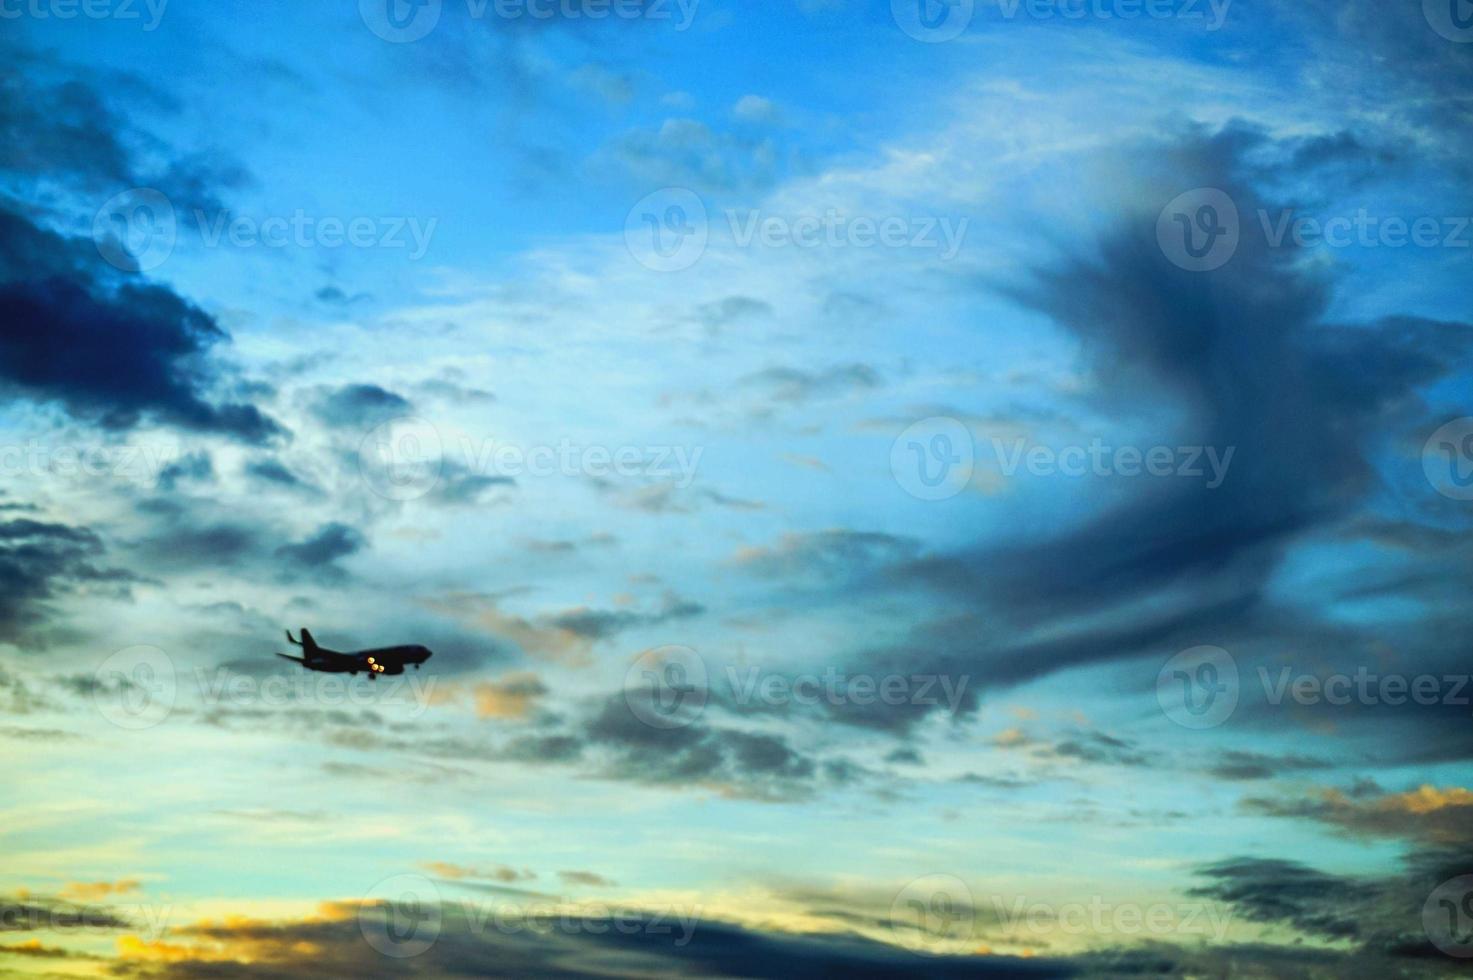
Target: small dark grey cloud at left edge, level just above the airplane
{"x": 42, "y": 561}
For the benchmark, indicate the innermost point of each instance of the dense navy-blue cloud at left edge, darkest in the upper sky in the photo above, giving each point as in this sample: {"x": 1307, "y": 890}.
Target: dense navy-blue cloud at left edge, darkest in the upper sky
{"x": 114, "y": 351}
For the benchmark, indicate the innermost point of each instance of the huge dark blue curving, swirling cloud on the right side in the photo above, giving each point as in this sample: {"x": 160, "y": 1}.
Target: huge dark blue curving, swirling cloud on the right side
{"x": 1247, "y": 360}
